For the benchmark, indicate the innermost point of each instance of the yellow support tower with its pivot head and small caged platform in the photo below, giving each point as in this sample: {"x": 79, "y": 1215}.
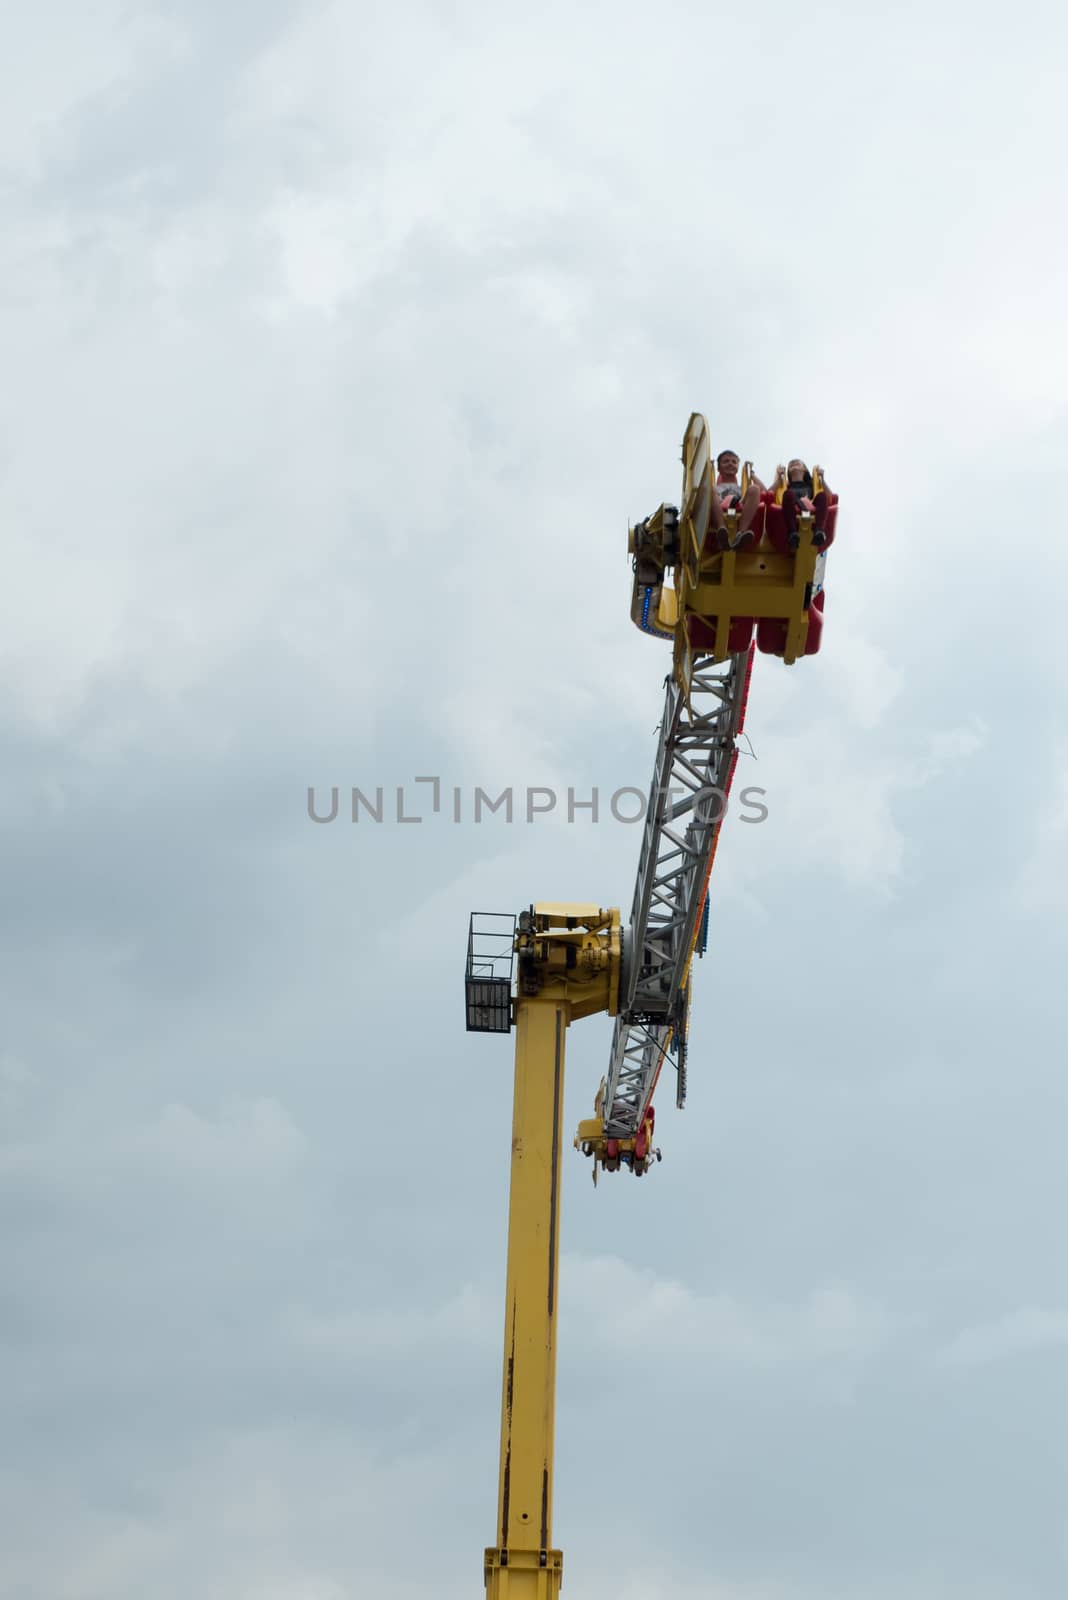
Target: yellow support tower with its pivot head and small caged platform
{"x": 568, "y": 967}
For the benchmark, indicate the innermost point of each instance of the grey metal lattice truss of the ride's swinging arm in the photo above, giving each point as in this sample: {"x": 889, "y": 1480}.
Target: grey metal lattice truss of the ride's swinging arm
{"x": 688, "y": 799}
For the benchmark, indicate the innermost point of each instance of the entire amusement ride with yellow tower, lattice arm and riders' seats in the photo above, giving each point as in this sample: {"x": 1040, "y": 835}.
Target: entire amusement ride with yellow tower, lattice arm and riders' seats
{"x": 746, "y": 574}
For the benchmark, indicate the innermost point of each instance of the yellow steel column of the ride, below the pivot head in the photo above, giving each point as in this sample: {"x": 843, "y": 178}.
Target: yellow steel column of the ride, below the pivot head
{"x": 524, "y": 1566}
